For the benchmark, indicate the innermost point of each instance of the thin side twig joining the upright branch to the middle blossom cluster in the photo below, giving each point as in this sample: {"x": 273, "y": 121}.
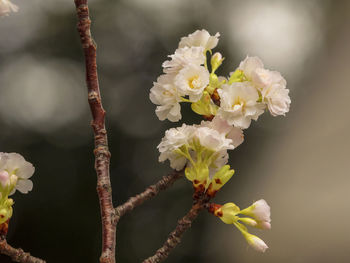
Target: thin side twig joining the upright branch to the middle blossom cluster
{"x": 150, "y": 192}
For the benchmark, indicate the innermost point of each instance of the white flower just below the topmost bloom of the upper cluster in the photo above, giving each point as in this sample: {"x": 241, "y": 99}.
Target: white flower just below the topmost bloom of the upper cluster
{"x": 184, "y": 57}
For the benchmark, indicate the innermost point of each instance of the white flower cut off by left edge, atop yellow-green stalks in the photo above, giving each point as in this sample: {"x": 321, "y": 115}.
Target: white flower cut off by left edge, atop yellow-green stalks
{"x": 15, "y": 165}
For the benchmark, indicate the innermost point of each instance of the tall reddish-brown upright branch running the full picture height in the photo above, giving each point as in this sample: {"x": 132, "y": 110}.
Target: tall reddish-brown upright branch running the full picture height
{"x": 102, "y": 154}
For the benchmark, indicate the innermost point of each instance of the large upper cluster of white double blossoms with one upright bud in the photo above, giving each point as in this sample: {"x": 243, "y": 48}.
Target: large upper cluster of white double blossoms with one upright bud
{"x": 238, "y": 99}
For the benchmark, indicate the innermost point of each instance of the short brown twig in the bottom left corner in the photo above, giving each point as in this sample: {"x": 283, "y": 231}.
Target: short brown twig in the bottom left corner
{"x": 17, "y": 254}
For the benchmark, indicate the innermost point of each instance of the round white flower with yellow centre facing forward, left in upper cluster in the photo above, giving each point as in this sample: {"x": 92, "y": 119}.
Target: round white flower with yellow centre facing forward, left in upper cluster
{"x": 192, "y": 80}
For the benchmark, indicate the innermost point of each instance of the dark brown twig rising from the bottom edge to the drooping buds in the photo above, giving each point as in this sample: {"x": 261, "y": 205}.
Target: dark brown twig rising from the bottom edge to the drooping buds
{"x": 183, "y": 224}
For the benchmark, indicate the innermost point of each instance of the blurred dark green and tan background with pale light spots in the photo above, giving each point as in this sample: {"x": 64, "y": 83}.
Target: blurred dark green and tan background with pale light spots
{"x": 299, "y": 164}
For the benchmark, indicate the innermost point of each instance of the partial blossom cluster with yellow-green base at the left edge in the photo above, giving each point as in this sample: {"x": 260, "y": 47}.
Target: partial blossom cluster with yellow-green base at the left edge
{"x": 15, "y": 172}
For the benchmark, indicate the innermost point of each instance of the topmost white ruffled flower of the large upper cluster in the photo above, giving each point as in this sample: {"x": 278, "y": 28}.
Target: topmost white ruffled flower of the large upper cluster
{"x": 200, "y": 38}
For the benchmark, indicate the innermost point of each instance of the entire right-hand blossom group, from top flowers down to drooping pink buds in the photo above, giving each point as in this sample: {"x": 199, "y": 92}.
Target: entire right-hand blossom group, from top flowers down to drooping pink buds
{"x": 228, "y": 104}
